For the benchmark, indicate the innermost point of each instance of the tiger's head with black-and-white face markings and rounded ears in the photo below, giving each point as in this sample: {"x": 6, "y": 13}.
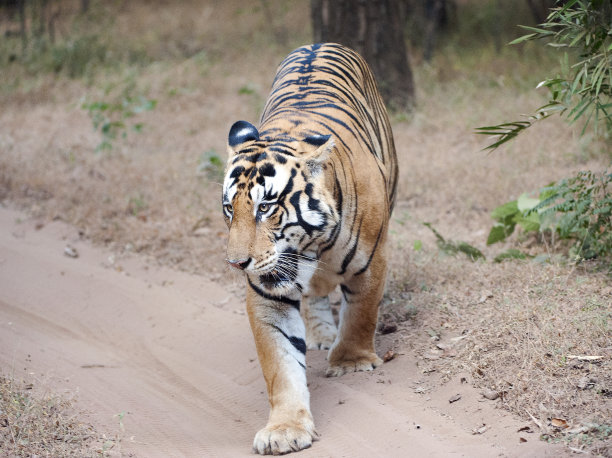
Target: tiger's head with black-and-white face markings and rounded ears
{"x": 276, "y": 205}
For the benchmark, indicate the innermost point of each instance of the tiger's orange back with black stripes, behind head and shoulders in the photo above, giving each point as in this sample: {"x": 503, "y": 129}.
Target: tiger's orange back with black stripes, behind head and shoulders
{"x": 329, "y": 89}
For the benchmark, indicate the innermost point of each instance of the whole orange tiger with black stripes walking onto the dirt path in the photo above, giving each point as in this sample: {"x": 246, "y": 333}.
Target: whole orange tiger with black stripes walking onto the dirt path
{"x": 307, "y": 199}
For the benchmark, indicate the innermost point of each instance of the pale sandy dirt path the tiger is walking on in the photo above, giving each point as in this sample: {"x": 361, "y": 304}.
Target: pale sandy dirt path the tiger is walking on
{"x": 175, "y": 354}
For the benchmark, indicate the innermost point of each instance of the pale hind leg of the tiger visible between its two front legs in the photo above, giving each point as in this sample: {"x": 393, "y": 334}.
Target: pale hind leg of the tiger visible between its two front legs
{"x": 320, "y": 326}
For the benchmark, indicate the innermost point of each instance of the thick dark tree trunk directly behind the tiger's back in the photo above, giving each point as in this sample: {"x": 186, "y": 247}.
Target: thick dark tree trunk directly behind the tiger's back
{"x": 373, "y": 28}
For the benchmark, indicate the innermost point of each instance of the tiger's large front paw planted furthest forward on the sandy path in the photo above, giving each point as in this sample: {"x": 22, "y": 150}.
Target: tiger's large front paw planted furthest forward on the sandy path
{"x": 284, "y": 438}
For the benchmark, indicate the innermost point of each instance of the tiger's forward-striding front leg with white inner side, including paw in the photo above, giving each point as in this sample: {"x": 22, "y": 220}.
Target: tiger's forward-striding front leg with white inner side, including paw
{"x": 279, "y": 335}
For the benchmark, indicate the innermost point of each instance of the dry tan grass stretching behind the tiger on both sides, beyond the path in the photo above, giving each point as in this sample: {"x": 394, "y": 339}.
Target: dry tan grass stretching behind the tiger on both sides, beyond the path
{"x": 211, "y": 65}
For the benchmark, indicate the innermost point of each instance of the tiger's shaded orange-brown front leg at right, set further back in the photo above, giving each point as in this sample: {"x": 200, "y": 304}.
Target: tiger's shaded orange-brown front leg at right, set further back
{"x": 353, "y": 349}
